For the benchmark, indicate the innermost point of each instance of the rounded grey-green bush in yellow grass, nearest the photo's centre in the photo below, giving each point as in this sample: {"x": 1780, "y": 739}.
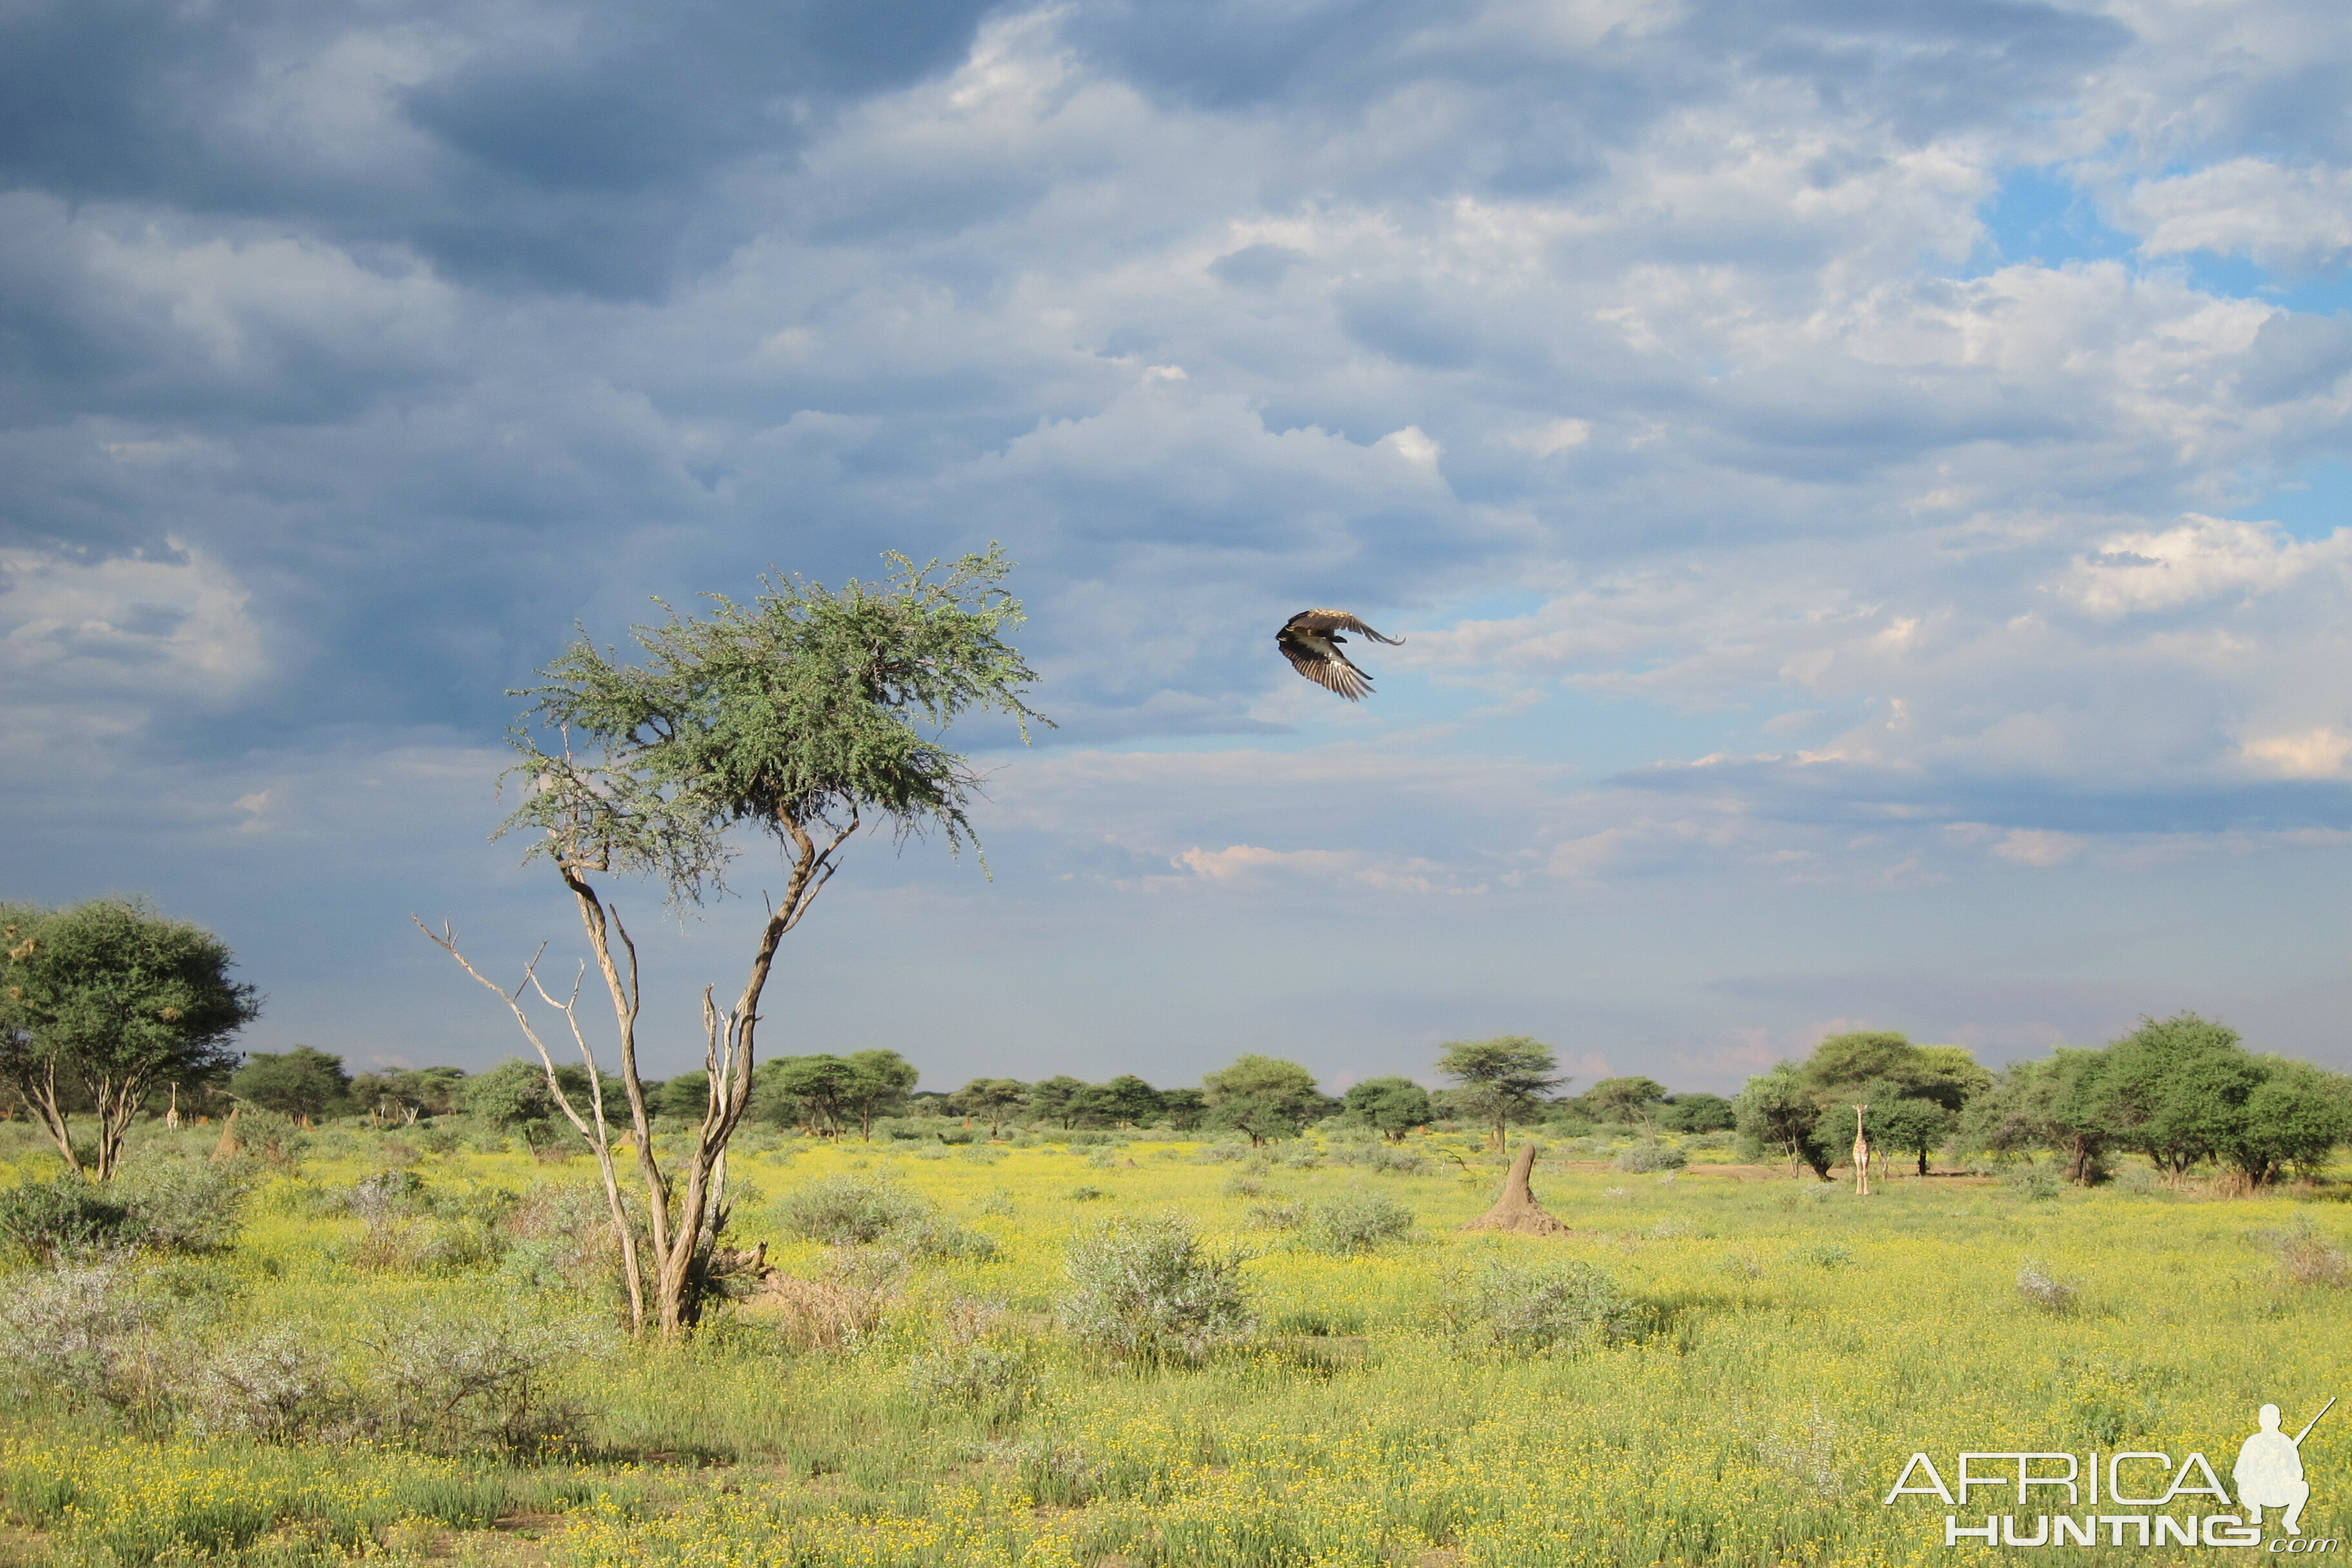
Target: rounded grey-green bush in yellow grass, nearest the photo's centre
{"x": 1151, "y": 1292}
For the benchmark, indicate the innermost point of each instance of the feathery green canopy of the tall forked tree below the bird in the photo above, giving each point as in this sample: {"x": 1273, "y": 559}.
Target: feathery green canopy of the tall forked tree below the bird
{"x": 803, "y": 709}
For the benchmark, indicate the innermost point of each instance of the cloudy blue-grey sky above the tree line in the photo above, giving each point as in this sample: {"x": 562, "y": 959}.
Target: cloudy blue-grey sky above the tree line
{"x": 1864, "y": 490}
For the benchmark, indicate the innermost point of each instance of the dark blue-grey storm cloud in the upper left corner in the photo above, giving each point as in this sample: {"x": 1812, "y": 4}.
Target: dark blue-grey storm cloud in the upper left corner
{"x": 530, "y": 147}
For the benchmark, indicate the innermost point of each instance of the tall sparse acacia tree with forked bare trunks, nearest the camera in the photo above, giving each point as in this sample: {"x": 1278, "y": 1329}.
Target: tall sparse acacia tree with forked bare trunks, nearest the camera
{"x": 803, "y": 716}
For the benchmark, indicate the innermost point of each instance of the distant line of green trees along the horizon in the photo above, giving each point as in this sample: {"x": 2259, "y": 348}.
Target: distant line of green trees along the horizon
{"x": 109, "y": 1010}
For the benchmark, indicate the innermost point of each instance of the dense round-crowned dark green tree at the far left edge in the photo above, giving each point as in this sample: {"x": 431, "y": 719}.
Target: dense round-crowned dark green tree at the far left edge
{"x": 114, "y": 1000}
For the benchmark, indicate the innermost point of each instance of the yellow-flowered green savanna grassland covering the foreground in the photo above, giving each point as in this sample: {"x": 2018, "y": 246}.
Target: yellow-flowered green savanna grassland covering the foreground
{"x": 1772, "y": 1355}
